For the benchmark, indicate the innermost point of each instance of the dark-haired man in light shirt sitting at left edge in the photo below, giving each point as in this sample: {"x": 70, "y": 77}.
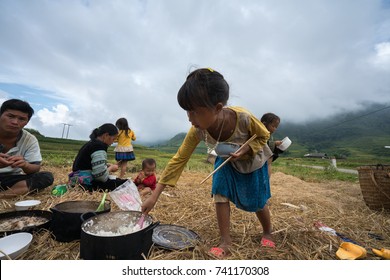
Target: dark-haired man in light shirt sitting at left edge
{"x": 20, "y": 156}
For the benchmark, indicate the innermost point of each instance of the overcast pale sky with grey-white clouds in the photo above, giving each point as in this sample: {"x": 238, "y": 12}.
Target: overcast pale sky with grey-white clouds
{"x": 85, "y": 63}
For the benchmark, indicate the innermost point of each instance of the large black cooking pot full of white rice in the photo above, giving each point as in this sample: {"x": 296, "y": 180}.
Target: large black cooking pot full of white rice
{"x": 110, "y": 236}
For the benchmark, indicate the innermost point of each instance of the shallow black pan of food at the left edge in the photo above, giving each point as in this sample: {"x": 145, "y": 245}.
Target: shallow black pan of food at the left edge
{"x": 7, "y": 216}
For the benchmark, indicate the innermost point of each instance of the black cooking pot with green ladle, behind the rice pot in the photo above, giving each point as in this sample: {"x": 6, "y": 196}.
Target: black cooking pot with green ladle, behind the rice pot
{"x": 66, "y": 221}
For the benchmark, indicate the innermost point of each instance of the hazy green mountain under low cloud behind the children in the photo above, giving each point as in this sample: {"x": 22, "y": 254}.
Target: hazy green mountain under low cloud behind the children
{"x": 355, "y": 134}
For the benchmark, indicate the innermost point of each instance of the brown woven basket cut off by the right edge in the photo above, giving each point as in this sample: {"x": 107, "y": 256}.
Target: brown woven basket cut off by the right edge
{"x": 375, "y": 185}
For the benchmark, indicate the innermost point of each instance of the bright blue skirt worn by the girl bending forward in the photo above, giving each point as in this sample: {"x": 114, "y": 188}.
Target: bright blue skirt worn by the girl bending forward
{"x": 249, "y": 192}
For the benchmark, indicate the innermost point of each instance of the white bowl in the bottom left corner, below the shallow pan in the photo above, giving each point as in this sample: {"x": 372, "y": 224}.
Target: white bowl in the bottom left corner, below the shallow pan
{"x": 14, "y": 245}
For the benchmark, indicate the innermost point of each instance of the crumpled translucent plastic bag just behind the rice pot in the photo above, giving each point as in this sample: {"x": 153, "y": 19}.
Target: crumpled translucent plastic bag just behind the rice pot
{"x": 127, "y": 197}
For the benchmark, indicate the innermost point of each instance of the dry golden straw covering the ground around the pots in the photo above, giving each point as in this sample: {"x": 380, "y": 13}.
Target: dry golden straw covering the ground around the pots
{"x": 295, "y": 206}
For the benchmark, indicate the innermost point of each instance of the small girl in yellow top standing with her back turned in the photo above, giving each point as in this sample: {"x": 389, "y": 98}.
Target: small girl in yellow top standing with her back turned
{"x": 124, "y": 150}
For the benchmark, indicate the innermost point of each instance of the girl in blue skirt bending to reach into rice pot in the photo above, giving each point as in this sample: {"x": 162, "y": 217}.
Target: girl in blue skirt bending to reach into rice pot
{"x": 243, "y": 181}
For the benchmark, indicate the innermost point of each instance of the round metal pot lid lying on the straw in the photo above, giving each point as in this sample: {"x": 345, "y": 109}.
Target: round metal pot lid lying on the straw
{"x": 174, "y": 237}
